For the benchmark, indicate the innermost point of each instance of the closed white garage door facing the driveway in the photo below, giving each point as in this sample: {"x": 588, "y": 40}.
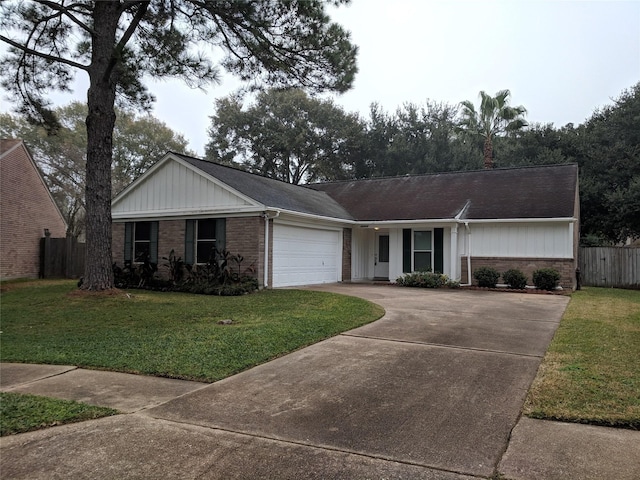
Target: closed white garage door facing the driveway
{"x": 305, "y": 256}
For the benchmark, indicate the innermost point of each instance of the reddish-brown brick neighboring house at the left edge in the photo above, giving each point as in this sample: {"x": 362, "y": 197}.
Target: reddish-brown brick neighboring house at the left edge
{"x": 26, "y": 210}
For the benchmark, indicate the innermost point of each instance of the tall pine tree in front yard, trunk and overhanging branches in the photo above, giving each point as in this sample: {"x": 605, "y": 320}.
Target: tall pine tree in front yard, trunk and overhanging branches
{"x": 277, "y": 42}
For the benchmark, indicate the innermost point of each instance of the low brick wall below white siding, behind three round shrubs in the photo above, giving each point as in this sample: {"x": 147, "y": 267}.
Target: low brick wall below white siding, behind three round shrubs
{"x": 566, "y": 267}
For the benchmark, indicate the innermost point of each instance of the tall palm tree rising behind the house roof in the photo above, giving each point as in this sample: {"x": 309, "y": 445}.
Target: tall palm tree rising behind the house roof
{"x": 495, "y": 117}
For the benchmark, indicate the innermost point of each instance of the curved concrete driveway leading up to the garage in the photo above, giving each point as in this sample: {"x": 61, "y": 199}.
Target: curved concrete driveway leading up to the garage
{"x": 431, "y": 390}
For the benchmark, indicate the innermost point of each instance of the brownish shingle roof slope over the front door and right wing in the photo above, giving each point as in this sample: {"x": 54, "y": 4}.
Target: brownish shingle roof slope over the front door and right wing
{"x": 510, "y": 193}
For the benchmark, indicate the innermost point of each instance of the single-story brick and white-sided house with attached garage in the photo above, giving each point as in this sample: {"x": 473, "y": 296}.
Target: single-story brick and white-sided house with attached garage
{"x": 356, "y": 230}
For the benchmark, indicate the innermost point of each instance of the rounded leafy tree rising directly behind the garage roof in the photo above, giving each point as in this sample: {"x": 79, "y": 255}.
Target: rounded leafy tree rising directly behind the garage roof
{"x": 286, "y": 134}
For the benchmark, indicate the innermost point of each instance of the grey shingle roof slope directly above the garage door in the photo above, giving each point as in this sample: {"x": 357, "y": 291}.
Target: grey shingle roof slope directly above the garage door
{"x": 272, "y": 193}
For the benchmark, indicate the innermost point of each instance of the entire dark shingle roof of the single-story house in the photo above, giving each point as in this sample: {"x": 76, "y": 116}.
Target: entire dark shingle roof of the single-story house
{"x": 525, "y": 192}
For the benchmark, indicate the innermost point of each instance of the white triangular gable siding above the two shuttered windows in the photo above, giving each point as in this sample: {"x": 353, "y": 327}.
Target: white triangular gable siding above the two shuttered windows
{"x": 177, "y": 189}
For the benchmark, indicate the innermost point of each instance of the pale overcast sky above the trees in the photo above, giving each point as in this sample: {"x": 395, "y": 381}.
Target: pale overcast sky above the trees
{"x": 560, "y": 59}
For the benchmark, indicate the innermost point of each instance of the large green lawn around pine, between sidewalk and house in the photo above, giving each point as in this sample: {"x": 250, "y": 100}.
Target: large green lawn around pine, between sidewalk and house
{"x": 168, "y": 334}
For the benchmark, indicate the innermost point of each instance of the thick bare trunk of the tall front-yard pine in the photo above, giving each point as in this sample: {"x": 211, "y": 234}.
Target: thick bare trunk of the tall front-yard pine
{"x": 101, "y": 119}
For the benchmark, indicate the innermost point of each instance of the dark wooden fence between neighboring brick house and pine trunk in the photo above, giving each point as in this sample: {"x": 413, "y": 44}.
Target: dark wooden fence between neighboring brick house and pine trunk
{"x": 61, "y": 257}
